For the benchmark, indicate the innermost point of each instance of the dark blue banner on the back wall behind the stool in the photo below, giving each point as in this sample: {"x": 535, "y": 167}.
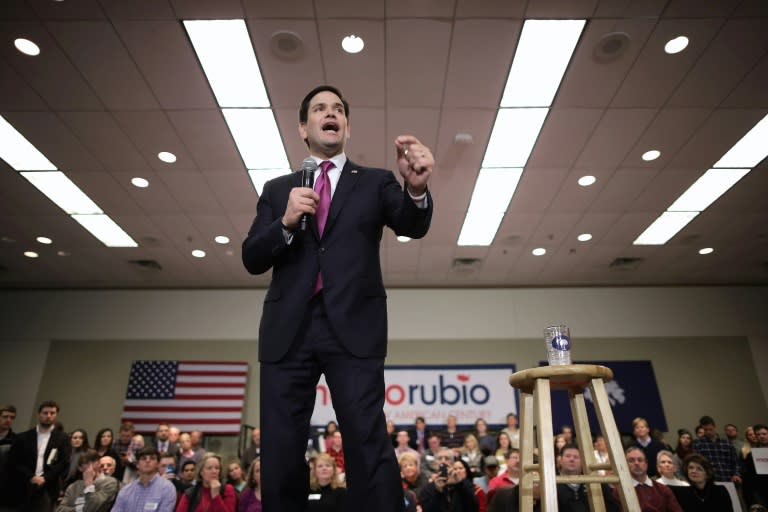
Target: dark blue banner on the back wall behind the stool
{"x": 632, "y": 392}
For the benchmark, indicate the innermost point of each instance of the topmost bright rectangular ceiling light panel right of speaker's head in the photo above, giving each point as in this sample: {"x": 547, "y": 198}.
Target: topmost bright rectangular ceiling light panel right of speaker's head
{"x": 541, "y": 57}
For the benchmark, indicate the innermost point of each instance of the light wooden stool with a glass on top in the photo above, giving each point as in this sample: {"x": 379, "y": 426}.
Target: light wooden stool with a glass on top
{"x": 535, "y": 385}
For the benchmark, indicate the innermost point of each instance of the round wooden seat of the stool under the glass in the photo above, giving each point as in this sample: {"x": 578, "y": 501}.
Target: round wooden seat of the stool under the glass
{"x": 567, "y": 376}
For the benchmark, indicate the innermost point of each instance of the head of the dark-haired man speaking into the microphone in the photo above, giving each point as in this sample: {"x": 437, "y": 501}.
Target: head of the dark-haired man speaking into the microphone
{"x": 326, "y": 129}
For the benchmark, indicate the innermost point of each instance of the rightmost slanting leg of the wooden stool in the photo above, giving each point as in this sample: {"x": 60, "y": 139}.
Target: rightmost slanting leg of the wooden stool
{"x": 613, "y": 443}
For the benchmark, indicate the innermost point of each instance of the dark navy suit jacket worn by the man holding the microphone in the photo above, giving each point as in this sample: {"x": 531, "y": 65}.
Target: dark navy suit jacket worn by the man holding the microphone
{"x": 365, "y": 200}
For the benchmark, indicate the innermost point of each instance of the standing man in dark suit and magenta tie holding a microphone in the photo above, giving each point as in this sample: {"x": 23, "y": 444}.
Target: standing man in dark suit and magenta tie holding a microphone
{"x": 325, "y": 310}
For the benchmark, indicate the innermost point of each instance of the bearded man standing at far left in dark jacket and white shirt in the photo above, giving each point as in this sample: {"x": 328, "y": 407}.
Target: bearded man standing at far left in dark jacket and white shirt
{"x": 37, "y": 461}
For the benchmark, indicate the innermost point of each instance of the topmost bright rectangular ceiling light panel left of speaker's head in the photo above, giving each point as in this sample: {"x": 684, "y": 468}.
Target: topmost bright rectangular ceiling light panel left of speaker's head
{"x": 225, "y": 51}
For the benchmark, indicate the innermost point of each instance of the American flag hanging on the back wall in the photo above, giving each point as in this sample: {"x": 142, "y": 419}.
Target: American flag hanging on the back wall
{"x": 191, "y": 395}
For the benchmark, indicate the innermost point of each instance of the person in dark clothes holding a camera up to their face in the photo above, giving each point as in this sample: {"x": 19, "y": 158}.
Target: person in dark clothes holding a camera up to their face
{"x": 450, "y": 490}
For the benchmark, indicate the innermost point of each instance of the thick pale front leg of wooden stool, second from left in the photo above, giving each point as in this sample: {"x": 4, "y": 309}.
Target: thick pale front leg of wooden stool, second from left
{"x": 547, "y": 474}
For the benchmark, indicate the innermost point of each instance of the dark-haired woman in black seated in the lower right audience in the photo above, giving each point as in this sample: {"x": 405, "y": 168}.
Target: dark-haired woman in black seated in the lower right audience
{"x": 703, "y": 495}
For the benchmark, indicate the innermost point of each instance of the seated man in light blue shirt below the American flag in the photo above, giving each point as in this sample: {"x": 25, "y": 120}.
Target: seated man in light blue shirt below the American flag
{"x": 150, "y": 492}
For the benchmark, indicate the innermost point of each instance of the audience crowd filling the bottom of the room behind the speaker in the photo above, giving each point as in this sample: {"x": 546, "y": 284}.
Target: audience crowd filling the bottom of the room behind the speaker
{"x": 443, "y": 469}
